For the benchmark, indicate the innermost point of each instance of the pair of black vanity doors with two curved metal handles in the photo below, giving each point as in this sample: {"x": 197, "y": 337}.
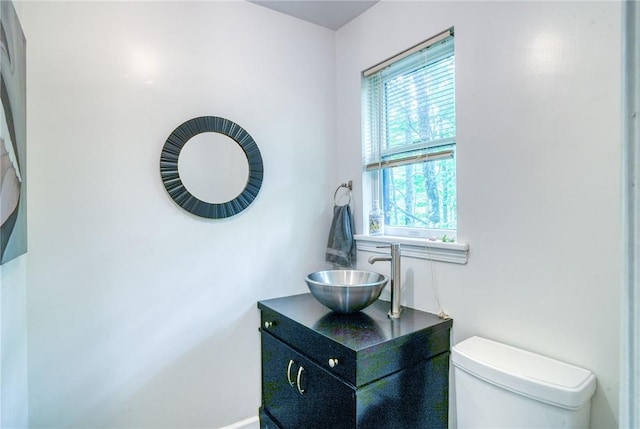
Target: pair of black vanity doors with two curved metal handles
{"x": 299, "y": 394}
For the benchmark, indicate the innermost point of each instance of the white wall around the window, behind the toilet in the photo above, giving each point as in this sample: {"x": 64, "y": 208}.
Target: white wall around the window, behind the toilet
{"x": 538, "y": 105}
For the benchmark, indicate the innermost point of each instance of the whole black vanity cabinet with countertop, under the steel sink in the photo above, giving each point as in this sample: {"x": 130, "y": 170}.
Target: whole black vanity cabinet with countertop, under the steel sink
{"x": 326, "y": 370}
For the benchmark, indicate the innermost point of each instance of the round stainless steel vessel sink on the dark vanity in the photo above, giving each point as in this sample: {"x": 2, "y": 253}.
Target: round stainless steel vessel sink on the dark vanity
{"x": 346, "y": 291}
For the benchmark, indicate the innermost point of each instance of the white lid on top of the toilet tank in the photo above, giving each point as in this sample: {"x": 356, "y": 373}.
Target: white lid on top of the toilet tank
{"x": 529, "y": 374}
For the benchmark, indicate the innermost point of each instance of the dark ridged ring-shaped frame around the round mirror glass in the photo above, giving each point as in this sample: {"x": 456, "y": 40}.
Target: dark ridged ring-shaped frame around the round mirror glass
{"x": 171, "y": 175}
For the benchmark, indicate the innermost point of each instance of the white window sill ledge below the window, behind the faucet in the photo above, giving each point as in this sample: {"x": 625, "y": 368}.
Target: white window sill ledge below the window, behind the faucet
{"x": 420, "y": 248}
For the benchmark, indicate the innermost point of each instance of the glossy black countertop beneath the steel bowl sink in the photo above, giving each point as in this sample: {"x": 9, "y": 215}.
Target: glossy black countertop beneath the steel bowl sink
{"x": 358, "y": 331}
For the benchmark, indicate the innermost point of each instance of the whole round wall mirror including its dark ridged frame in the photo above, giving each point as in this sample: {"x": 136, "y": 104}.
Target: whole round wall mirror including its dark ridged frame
{"x": 218, "y": 173}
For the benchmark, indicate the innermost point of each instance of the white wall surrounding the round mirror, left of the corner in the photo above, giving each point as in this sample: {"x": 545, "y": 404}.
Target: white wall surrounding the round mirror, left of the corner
{"x": 140, "y": 314}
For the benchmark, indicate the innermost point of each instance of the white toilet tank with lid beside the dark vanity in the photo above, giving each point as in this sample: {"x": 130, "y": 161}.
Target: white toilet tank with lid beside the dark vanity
{"x": 499, "y": 386}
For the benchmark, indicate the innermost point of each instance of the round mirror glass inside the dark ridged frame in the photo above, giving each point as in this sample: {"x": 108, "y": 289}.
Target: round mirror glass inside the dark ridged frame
{"x": 213, "y": 167}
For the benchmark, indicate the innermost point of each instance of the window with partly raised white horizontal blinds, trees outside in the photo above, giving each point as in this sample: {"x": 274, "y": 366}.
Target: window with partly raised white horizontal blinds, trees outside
{"x": 409, "y": 130}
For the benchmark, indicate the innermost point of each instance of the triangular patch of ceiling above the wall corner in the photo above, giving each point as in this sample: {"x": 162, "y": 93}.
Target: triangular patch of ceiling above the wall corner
{"x": 331, "y": 14}
